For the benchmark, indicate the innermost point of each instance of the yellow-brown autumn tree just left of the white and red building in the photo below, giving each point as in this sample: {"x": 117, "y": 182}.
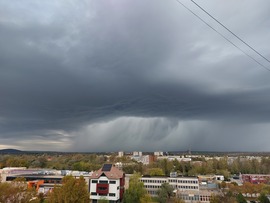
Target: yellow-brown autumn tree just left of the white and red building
{"x": 72, "y": 191}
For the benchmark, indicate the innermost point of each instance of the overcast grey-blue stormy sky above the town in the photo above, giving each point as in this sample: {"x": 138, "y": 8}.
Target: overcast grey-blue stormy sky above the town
{"x": 146, "y": 75}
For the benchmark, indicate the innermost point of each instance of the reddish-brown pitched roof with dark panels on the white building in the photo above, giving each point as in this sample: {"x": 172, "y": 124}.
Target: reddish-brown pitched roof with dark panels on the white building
{"x": 110, "y": 171}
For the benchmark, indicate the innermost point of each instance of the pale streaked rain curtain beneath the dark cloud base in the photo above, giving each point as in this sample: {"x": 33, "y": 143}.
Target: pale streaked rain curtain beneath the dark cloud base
{"x": 126, "y": 133}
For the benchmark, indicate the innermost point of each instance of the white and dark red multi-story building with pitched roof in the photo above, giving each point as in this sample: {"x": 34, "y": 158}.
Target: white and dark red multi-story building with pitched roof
{"x": 107, "y": 183}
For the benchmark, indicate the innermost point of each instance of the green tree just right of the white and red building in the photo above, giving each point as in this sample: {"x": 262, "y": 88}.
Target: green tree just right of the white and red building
{"x": 135, "y": 191}
